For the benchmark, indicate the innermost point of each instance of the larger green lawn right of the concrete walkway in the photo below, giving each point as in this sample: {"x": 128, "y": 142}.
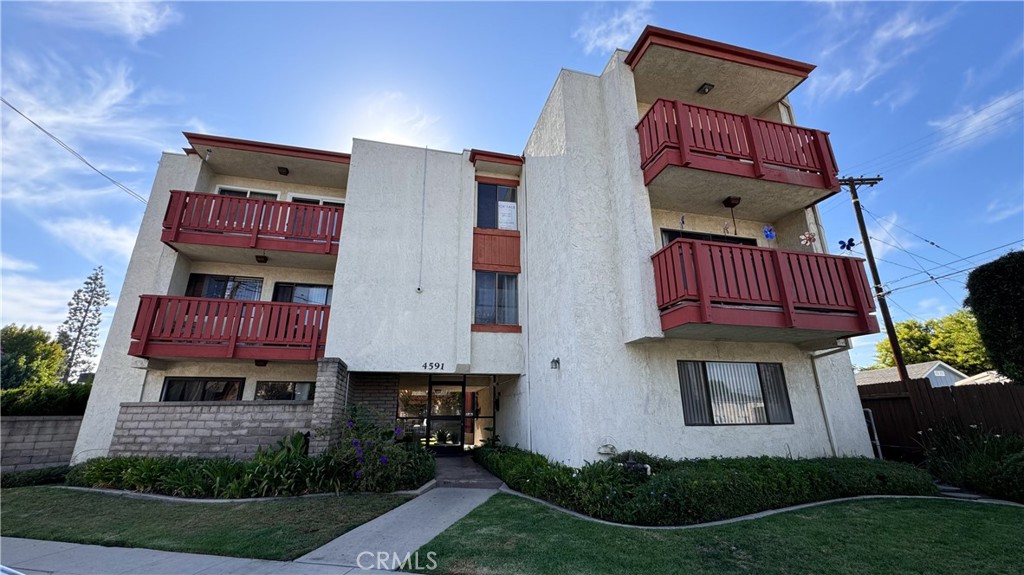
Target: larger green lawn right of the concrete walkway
{"x": 509, "y": 535}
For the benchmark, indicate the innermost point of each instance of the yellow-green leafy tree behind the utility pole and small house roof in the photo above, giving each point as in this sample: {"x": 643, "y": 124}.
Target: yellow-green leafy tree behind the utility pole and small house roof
{"x": 954, "y": 340}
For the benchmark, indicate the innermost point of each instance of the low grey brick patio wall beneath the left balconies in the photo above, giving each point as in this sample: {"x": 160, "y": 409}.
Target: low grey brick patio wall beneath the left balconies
{"x": 207, "y": 429}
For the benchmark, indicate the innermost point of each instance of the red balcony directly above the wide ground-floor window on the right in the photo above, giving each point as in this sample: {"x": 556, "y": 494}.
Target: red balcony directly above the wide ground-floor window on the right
{"x": 712, "y": 291}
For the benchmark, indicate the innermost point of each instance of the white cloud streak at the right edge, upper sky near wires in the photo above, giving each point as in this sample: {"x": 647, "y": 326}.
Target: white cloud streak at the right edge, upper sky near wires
{"x": 974, "y": 125}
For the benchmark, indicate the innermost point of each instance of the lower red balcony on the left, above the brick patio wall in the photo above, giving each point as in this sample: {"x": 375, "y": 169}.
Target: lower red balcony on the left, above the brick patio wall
{"x": 177, "y": 328}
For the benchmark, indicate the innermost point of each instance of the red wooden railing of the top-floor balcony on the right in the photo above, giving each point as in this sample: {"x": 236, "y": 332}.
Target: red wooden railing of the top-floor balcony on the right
{"x": 673, "y": 134}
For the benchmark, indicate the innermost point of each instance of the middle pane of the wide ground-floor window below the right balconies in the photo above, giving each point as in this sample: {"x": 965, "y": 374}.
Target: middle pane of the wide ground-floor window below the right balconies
{"x": 736, "y": 393}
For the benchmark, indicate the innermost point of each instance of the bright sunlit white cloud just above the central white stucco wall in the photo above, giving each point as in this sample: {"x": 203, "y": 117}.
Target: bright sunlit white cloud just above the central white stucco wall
{"x": 395, "y": 118}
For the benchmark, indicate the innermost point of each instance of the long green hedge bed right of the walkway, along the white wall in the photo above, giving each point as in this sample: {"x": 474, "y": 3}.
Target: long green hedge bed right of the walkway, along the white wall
{"x": 684, "y": 493}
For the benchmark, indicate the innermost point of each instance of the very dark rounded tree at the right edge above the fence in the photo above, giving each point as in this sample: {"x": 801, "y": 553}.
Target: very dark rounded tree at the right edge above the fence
{"x": 996, "y": 294}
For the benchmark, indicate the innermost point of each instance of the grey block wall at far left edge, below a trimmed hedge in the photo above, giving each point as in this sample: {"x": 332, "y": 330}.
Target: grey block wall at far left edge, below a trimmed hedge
{"x": 29, "y": 443}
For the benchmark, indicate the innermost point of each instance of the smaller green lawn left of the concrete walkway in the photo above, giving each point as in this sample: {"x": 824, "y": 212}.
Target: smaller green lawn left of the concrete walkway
{"x": 279, "y": 530}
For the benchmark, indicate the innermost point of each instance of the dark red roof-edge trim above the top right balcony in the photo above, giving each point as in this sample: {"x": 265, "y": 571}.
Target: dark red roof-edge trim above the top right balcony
{"x": 662, "y": 37}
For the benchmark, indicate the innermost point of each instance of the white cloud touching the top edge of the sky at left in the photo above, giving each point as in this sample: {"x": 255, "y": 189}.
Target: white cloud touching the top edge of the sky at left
{"x": 135, "y": 20}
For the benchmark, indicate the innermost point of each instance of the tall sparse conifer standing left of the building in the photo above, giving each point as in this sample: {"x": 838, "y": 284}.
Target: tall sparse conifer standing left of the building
{"x": 80, "y": 332}
